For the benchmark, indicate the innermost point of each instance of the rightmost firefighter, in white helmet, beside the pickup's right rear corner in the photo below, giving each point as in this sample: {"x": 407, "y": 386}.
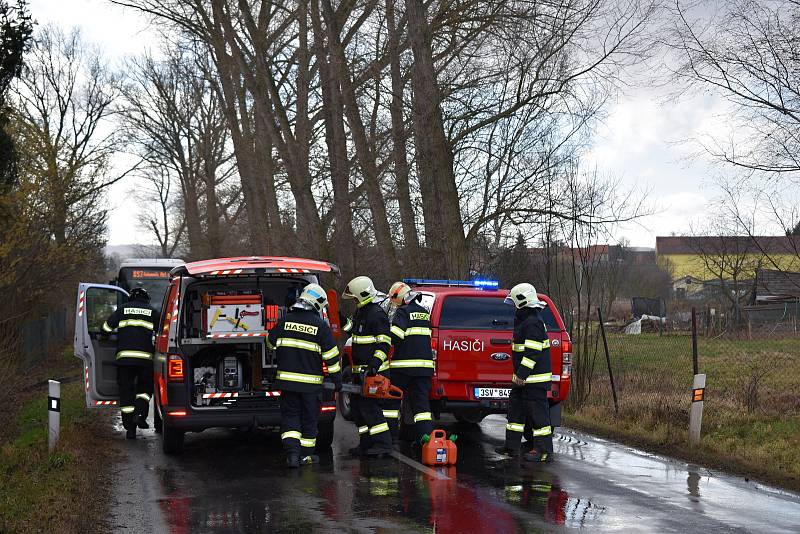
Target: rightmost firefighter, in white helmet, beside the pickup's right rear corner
{"x": 532, "y": 374}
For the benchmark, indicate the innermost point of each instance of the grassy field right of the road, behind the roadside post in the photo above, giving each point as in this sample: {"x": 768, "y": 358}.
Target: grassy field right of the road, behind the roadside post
{"x": 751, "y": 421}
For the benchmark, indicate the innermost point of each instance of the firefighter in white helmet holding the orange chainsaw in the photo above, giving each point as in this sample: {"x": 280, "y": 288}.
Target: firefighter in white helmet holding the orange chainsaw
{"x": 369, "y": 329}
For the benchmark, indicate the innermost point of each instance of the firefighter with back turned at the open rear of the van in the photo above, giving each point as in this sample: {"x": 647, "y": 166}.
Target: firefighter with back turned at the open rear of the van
{"x": 303, "y": 341}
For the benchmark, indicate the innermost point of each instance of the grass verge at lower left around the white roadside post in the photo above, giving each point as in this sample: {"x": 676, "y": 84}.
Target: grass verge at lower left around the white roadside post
{"x": 68, "y": 490}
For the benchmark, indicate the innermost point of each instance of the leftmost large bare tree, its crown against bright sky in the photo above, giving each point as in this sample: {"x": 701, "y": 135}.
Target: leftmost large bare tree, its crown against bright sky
{"x": 62, "y": 109}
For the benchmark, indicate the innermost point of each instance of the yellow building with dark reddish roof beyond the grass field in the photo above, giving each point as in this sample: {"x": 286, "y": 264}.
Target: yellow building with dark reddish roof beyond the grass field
{"x": 686, "y": 255}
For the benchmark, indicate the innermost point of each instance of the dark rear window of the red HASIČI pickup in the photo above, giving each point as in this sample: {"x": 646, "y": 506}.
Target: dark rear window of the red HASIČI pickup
{"x": 484, "y": 313}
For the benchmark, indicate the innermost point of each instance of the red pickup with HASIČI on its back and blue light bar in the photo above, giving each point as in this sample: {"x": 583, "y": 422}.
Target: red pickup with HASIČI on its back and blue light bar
{"x": 472, "y": 337}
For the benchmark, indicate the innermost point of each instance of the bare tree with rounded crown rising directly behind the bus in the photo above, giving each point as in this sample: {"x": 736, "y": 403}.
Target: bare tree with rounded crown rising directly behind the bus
{"x": 173, "y": 120}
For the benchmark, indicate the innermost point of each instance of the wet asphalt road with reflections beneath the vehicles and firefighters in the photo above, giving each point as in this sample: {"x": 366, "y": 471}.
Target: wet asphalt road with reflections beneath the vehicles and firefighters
{"x": 236, "y": 482}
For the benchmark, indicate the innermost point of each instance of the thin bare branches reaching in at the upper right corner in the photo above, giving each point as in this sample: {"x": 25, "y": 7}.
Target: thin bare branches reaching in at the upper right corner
{"x": 749, "y": 53}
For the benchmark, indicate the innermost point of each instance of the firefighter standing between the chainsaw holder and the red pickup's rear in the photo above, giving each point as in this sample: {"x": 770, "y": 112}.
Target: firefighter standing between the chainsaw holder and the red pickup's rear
{"x": 412, "y": 359}
